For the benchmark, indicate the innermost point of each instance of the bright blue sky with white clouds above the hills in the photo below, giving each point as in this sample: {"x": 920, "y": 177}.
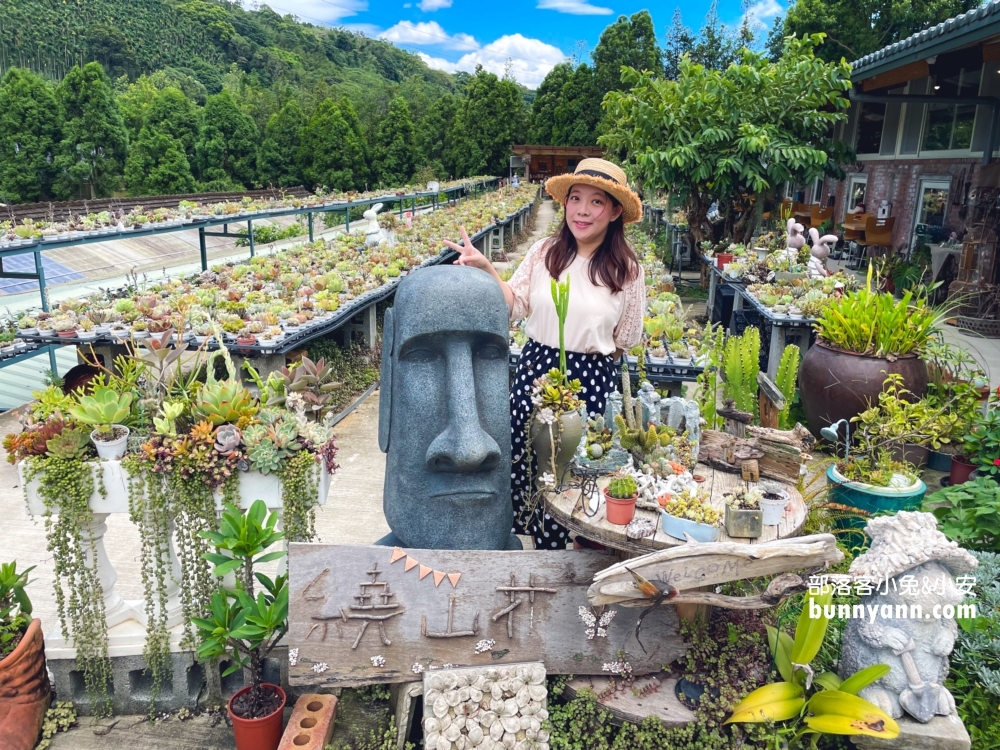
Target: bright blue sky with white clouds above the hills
{"x": 534, "y": 34}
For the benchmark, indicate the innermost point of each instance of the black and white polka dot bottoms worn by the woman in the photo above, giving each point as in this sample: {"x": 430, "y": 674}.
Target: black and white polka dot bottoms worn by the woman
{"x": 597, "y": 374}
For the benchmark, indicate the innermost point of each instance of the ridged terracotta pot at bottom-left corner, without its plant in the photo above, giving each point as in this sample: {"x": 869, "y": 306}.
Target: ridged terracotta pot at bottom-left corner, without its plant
{"x": 24, "y": 691}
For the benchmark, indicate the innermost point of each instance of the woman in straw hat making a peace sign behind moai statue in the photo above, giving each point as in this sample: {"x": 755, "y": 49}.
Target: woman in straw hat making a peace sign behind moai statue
{"x": 606, "y": 305}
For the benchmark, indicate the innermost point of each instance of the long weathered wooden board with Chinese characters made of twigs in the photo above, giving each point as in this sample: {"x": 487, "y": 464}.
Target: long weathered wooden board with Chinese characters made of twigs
{"x": 362, "y": 615}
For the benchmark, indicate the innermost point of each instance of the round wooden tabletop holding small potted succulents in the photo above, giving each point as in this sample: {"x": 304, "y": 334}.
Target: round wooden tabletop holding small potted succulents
{"x": 568, "y": 509}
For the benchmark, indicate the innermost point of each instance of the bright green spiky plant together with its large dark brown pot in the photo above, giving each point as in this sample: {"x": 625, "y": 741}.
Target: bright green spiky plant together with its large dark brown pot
{"x": 862, "y": 337}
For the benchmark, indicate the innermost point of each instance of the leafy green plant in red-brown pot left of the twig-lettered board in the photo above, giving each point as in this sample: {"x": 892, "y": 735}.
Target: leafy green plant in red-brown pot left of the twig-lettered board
{"x": 246, "y": 626}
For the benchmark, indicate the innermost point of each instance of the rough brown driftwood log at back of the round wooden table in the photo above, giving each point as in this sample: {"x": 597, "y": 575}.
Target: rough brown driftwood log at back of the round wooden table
{"x": 778, "y": 459}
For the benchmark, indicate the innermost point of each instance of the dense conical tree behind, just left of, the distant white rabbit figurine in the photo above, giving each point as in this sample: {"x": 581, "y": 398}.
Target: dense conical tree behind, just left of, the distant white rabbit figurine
{"x": 330, "y": 151}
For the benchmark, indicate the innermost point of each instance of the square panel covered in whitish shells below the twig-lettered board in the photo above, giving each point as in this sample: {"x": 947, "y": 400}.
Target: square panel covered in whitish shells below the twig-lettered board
{"x": 486, "y": 709}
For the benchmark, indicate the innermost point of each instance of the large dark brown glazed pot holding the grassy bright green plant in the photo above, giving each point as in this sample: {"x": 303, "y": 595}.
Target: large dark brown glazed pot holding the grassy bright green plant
{"x": 838, "y": 385}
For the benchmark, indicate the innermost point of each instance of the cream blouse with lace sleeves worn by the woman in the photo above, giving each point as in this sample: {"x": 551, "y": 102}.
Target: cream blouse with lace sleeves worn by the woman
{"x": 598, "y": 320}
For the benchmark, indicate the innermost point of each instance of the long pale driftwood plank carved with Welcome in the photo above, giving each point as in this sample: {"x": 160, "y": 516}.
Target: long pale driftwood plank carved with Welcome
{"x": 693, "y": 565}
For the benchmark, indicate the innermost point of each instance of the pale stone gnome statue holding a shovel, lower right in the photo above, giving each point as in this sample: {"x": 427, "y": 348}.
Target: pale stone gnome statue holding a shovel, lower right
{"x": 910, "y": 569}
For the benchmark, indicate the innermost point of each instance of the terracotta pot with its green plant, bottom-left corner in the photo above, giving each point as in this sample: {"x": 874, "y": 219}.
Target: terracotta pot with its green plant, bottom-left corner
{"x": 24, "y": 683}
